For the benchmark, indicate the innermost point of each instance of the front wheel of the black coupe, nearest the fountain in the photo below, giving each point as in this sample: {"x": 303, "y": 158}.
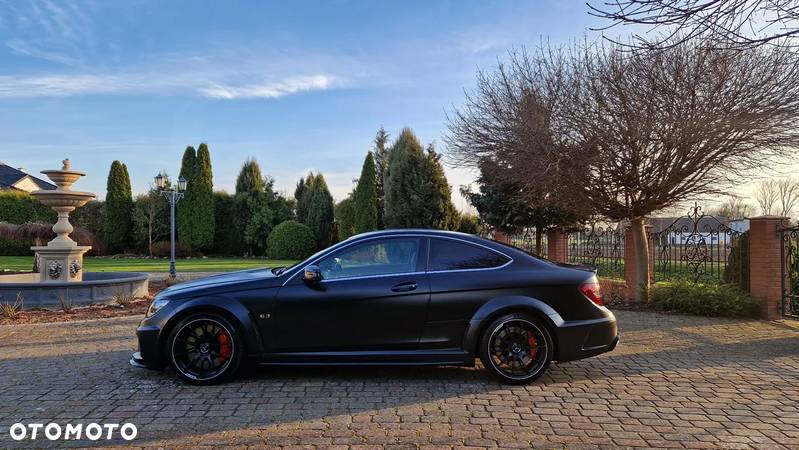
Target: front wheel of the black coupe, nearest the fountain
{"x": 204, "y": 348}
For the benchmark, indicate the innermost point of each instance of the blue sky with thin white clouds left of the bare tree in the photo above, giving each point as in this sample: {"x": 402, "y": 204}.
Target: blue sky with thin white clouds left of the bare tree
{"x": 297, "y": 85}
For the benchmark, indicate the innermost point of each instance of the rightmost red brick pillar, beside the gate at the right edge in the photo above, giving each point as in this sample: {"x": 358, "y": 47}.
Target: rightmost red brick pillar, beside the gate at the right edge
{"x": 765, "y": 264}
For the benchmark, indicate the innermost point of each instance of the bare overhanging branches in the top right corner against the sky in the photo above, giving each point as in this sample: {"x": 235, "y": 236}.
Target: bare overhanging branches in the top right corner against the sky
{"x": 734, "y": 24}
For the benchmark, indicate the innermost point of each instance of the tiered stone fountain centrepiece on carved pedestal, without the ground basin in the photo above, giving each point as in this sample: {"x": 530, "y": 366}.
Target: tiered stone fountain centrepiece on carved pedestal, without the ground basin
{"x": 62, "y": 258}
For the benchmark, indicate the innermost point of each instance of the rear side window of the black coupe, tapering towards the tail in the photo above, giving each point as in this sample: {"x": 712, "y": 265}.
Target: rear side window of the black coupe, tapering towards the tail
{"x": 446, "y": 254}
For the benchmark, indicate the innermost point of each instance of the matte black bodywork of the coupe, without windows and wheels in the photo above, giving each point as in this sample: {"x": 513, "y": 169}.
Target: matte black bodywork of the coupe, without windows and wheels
{"x": 378, "y": 320}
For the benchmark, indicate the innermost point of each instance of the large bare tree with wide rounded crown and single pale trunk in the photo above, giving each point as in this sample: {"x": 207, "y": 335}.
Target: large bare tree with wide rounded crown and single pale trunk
{"x": 635, "y": 132}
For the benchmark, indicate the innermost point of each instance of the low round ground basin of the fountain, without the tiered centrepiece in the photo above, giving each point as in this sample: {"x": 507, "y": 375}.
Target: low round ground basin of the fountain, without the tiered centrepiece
{"x": 96, "y": 287}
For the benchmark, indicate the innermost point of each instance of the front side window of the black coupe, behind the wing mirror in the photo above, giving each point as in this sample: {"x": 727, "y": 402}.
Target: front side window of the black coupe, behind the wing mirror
{"x": 383, "y": 257}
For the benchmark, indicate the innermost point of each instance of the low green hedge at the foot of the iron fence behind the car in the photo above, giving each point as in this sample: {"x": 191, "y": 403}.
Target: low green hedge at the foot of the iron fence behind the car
{"x": 703, "y": 299}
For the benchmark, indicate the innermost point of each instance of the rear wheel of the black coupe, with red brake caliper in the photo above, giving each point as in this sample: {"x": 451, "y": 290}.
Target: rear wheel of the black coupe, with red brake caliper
{"x": 516, "y": 348}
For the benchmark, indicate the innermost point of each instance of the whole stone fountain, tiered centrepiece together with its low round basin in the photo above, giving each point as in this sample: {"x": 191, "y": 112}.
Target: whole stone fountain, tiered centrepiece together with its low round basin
{"x": 61, "y": 277}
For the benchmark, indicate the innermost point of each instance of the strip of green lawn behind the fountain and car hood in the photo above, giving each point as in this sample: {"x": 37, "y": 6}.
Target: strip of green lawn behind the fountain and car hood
{"x": 154, "y": 265}
